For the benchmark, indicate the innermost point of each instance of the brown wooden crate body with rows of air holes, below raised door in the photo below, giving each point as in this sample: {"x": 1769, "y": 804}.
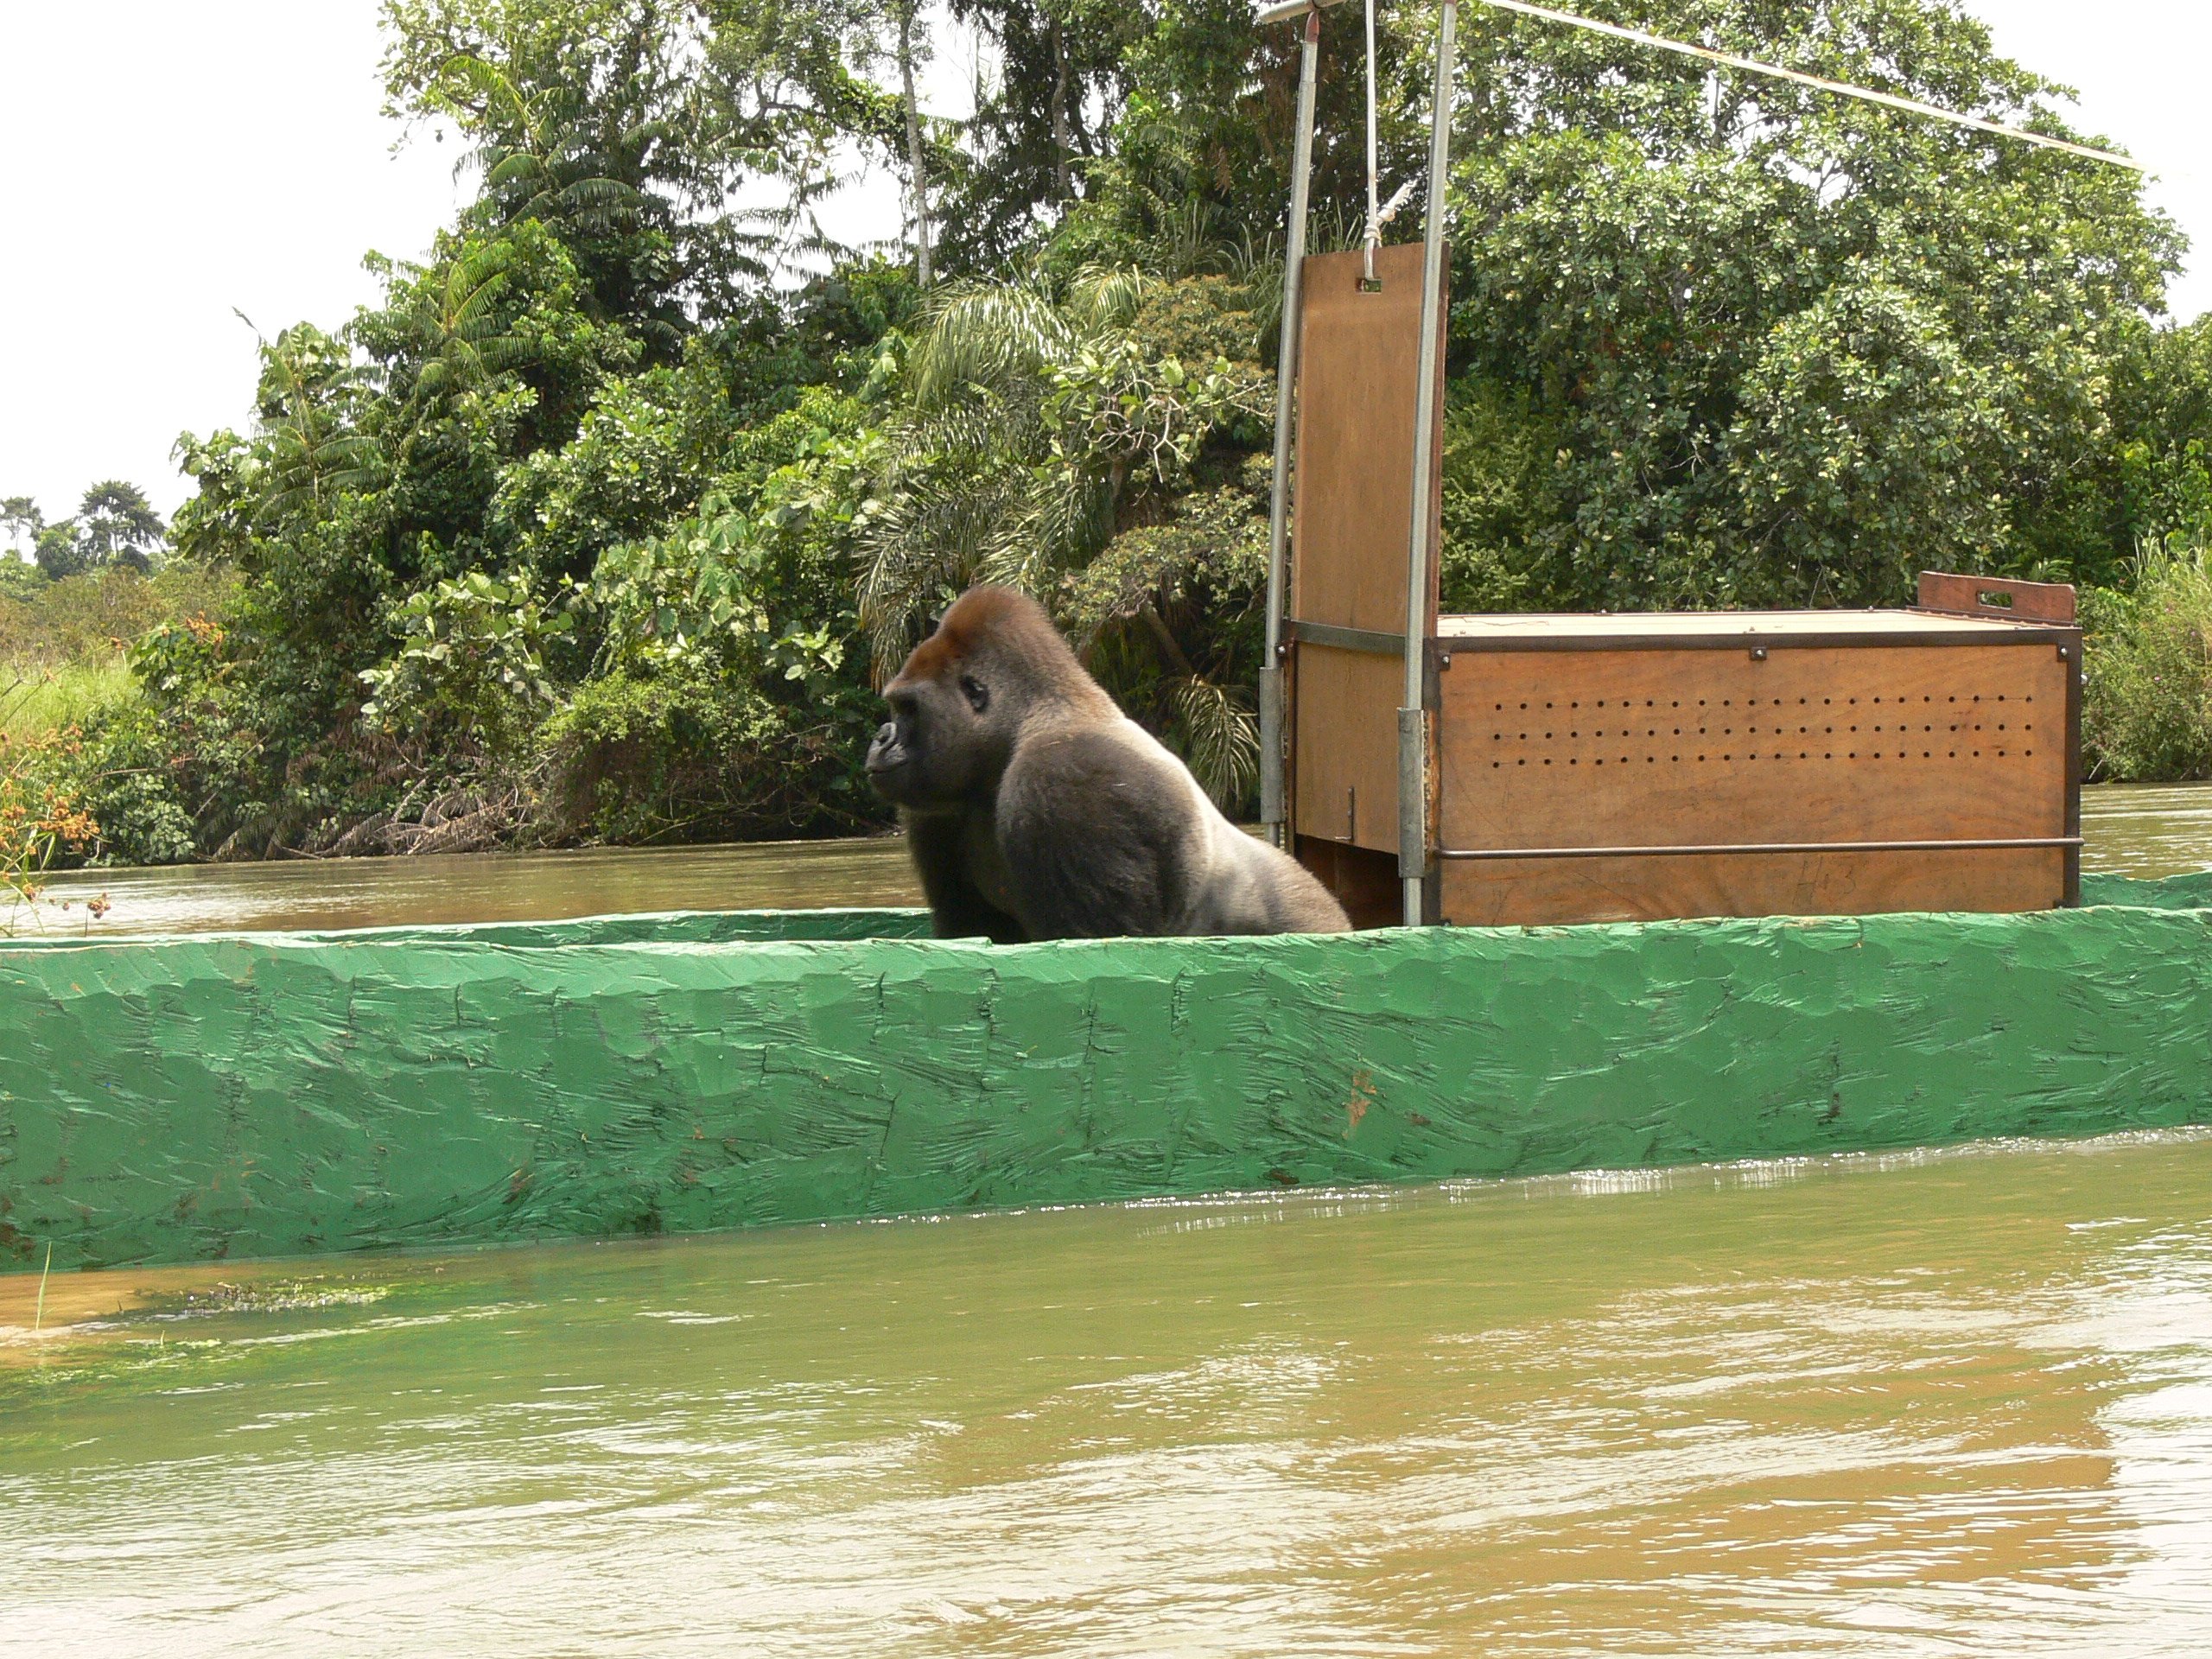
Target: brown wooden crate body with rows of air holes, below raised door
{"x": 1740, "y": 764}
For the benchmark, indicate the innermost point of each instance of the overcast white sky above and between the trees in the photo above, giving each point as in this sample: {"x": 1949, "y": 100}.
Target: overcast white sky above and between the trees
{"x": 165, "y": 167}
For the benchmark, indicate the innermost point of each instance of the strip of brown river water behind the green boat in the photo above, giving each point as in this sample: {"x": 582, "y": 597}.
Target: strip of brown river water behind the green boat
{"x": 2131, "y": 831}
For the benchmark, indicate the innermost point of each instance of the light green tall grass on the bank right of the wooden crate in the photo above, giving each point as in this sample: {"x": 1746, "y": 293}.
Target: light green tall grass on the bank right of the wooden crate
{"x": 2147, "y": 716}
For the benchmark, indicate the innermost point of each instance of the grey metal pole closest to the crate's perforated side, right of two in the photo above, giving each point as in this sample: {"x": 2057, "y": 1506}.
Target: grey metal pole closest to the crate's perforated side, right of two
{"x": 1421, "y": 563}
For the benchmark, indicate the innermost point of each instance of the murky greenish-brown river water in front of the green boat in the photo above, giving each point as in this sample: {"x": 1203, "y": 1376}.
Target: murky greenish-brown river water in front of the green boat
{"x": 1921, "y": 1406}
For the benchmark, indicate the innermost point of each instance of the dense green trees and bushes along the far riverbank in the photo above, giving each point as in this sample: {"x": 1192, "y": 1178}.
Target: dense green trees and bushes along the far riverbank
{"x": 605, "y": 519}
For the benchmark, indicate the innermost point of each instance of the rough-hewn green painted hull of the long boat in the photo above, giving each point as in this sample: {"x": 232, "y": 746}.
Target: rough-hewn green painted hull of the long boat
{"x": 251, "y": 1096}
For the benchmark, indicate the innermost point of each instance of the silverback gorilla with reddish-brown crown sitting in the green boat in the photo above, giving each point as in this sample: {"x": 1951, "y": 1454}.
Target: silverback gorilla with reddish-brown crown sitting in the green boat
{"x": 1039, "y": 811}
